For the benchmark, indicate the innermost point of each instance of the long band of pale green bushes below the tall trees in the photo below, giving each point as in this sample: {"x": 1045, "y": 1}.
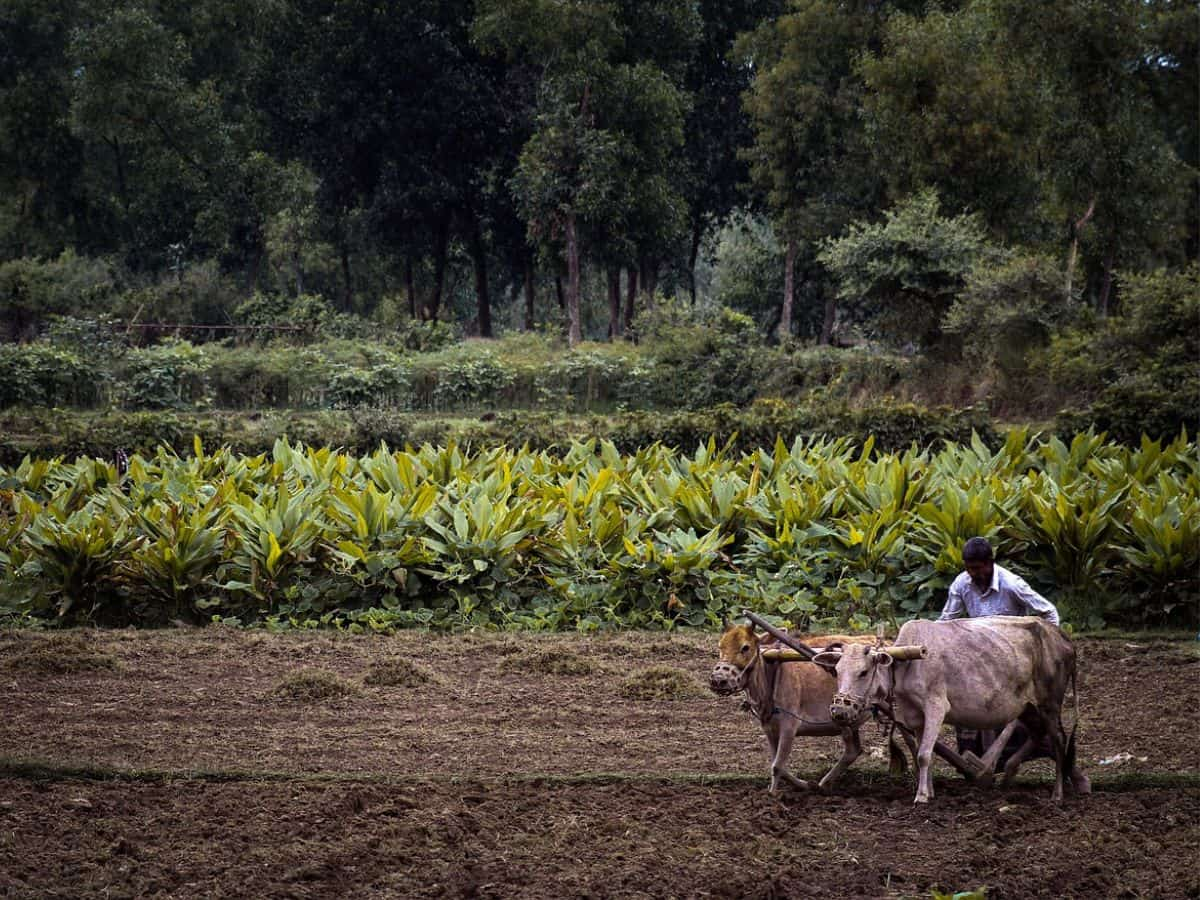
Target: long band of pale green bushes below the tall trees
{"x": 681, "y": 368}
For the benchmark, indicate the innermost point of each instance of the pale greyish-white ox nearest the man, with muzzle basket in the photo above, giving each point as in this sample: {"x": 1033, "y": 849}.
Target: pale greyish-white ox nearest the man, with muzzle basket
{"x": 982, "y": 674}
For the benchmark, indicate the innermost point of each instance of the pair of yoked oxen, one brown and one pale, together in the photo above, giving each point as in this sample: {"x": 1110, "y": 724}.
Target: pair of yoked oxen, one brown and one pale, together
{"x": 985, "y": 674}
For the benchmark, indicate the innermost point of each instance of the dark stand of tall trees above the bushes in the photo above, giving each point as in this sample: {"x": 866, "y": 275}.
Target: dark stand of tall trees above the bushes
{"x": 441, "y": 159}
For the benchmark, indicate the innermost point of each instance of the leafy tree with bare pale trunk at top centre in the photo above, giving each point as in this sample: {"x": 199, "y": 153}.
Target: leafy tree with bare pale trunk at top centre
{"x": 608, "y": 116}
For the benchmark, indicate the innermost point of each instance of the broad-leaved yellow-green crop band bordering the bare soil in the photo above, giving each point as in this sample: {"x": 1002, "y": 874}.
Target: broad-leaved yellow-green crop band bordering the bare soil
{"x": 819, "y": 533}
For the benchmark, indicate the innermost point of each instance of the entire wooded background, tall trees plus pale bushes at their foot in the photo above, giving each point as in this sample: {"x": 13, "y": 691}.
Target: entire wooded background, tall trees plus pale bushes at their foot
{"x": 993, "y": 202}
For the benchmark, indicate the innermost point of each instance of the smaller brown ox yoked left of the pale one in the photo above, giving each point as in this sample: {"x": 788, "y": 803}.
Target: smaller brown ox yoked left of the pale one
{"x": 789, "y": 699}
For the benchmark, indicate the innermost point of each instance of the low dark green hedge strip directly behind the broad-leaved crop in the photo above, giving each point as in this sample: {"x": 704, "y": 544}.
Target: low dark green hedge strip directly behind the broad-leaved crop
{"x": 68, "y": 434}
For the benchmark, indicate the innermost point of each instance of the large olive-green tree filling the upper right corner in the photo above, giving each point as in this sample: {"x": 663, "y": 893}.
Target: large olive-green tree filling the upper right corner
{"x": 1049, "y": 119}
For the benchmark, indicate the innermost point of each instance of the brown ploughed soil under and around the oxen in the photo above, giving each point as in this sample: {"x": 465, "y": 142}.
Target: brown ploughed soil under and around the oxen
{"x": 230, "y": 764}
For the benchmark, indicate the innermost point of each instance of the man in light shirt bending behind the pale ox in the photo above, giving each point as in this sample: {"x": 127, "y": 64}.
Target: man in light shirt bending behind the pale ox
{"x": 988, "y": 590}
